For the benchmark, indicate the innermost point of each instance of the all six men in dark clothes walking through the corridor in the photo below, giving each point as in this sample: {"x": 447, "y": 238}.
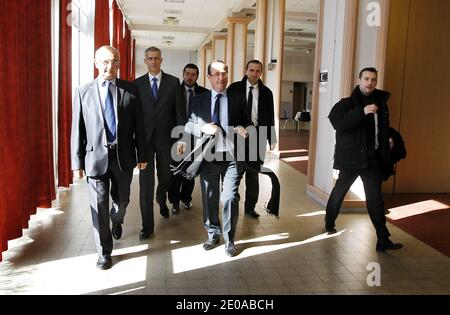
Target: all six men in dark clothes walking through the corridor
{"x": 119, "y": 125}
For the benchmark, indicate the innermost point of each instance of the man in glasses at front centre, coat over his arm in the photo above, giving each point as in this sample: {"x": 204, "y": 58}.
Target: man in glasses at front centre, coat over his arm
{"x": 222, "y": 114}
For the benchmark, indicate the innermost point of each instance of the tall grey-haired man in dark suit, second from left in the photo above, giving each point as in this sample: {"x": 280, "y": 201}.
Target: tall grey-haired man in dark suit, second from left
{"x": 163, "y": 109}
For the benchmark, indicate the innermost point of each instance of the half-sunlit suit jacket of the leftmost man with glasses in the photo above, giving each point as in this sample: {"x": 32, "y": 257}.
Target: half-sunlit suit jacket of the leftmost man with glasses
{"x": 88, "y": 139}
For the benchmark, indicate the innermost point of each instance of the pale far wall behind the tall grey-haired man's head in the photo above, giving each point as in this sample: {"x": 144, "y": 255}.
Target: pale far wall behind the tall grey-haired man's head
{"x": 173, "y": 61}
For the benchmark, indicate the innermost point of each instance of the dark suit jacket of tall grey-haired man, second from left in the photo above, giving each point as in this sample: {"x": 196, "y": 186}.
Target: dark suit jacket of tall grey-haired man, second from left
{"x": 168, "y": 111}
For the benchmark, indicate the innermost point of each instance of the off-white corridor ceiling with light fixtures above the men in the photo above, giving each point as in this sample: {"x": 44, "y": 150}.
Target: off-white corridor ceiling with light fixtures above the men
{"x": 187, "y": 24}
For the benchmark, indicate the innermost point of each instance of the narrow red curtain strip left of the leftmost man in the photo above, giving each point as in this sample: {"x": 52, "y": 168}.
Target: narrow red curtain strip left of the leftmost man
{"x": 64, "y": 97}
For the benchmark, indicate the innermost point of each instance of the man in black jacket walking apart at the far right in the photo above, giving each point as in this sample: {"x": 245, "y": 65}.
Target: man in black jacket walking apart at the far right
{"x": 362, "y": 149}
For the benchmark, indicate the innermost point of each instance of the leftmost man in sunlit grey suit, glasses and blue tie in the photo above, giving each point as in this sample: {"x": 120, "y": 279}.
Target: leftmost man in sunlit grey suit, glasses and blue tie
{"x": 107, "y": 129}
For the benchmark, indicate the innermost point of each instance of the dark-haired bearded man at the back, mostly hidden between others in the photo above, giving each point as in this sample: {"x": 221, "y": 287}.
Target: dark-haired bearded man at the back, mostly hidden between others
{"x": 180, "y": 188}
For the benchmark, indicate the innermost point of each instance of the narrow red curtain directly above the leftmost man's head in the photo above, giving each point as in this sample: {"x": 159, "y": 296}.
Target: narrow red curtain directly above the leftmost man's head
{"x": 101, "y": 26}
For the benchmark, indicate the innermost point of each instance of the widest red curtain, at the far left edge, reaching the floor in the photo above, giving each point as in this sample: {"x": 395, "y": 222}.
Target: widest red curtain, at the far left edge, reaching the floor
{"x": 26, "y": 142}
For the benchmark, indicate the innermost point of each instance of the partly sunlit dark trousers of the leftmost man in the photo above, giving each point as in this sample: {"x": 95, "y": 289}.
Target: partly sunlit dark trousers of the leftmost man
{"x": 117, "y": 184}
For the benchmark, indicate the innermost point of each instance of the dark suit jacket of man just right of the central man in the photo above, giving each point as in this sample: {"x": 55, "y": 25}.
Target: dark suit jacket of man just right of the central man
{"x": 266, "y": 115}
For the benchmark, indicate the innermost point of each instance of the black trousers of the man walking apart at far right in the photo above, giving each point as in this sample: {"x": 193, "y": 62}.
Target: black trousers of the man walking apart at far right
{"x": 371, "y": 178}
